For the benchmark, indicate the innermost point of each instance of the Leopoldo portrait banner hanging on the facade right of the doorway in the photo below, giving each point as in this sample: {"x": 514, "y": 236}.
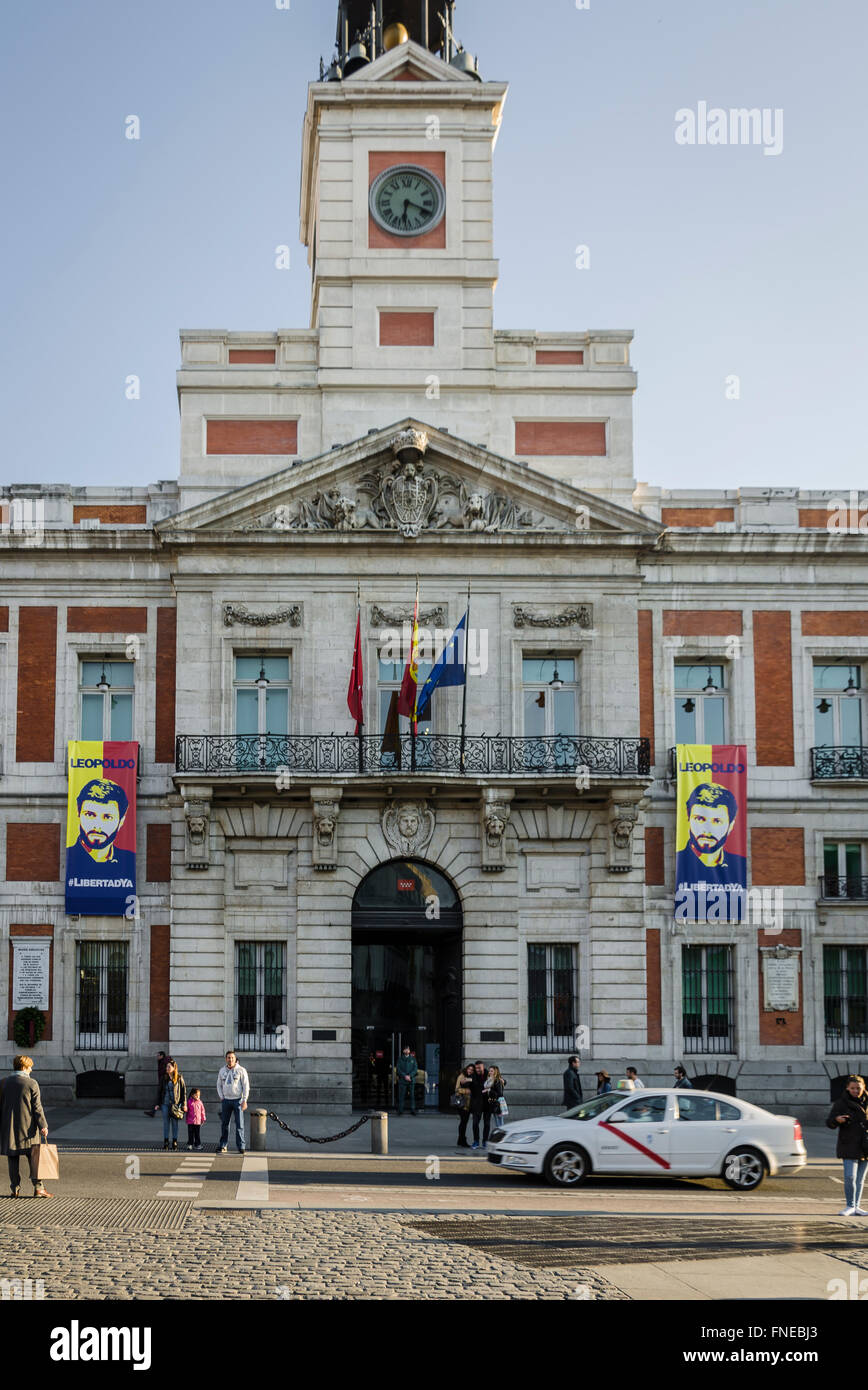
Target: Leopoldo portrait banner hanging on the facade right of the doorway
{"x": 712, "y": 833}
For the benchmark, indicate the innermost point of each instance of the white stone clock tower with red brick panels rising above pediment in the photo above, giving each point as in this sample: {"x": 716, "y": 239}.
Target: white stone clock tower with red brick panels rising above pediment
{"x": 397, "y": 218}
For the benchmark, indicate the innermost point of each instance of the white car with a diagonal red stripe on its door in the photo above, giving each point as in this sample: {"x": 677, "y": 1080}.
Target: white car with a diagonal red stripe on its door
{"x": 654, "y": 1134}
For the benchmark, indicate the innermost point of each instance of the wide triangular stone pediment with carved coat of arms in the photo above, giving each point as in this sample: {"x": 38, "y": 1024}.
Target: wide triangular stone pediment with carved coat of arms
{"x": 408, "y": 480}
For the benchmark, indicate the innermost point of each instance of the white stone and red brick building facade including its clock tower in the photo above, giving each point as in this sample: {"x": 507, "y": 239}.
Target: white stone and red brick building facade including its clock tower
{"x": 316, "y": 900}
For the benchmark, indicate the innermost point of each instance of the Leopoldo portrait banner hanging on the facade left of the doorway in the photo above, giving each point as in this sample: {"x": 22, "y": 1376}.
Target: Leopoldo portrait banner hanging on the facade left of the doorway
{"x": 101, "y": 829}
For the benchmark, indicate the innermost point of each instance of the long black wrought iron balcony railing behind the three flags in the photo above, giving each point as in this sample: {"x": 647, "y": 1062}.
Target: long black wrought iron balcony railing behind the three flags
{"x": 478, "y": 755}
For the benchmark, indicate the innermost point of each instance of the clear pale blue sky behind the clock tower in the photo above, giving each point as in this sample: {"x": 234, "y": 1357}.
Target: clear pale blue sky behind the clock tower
{"x": 724, "y": 261}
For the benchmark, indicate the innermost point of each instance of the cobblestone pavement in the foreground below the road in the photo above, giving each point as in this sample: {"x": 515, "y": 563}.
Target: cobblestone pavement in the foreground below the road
{"x": 282, "y": 1254}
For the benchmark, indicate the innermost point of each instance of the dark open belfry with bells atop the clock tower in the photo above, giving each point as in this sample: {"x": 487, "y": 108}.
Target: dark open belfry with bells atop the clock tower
{"x": 371, "y": 28}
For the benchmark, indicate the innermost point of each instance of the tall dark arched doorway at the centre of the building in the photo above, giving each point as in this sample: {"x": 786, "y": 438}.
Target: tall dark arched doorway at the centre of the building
{"x": 407, "y": 982}
